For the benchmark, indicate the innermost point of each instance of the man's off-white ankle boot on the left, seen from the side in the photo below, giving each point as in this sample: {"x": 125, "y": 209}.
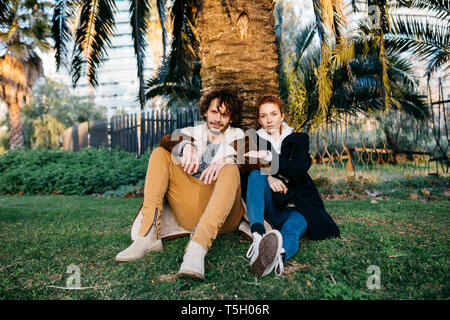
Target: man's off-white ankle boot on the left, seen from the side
{"x": 140, "y": 247}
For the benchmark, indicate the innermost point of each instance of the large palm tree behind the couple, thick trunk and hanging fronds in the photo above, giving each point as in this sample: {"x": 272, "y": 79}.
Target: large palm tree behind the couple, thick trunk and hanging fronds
{"x": 233, "y": 40}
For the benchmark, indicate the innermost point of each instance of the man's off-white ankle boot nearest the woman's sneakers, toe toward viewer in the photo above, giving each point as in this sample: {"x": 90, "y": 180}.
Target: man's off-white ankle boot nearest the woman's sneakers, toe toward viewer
{"x": 193, "y": 264}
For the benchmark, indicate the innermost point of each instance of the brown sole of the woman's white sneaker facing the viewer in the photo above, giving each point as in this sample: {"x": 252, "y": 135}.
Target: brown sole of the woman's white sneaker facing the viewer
{"x": 269, "y": 249}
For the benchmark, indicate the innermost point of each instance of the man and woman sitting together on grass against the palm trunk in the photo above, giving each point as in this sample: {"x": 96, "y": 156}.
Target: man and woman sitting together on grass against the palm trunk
{"x": 196, "y": 176}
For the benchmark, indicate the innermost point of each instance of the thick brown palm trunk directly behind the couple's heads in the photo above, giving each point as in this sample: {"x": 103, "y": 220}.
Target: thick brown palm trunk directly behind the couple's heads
{"x": 238, "y": 51}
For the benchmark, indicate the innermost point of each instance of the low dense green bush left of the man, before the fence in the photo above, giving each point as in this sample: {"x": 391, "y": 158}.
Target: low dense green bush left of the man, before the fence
{"x": 63, "y": 172}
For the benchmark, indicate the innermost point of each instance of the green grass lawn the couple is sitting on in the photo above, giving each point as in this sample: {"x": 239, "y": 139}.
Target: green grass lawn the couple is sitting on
{"x": 42, "y": 235}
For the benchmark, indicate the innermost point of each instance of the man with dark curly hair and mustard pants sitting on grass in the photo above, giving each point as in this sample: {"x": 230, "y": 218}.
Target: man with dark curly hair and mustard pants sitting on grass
{"x": 196, "y": 172}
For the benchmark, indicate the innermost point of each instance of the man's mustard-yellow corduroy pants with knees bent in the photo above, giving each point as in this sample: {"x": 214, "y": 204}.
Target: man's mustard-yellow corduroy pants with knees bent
{"x": 209, "y": 208}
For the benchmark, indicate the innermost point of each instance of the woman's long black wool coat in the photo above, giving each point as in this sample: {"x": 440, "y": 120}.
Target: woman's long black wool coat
{"x": 294, "y": 162}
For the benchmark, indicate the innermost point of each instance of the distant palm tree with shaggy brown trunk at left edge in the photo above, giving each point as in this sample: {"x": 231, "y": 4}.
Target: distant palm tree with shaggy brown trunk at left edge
{"x": 23, "y": 28}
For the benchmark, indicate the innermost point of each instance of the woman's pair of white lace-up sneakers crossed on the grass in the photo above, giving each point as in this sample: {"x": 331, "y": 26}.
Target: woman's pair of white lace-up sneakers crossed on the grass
{"x": 268, "y": 255}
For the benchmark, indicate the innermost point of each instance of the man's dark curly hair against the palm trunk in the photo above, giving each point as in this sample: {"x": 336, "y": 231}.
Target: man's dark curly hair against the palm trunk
{"x": 231, "y": 101}
